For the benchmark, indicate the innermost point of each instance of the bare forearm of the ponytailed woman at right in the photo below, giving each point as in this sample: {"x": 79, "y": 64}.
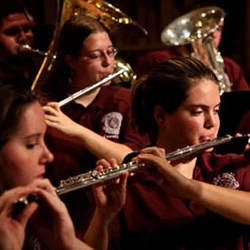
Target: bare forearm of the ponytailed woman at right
{"x": 231, "y": 203}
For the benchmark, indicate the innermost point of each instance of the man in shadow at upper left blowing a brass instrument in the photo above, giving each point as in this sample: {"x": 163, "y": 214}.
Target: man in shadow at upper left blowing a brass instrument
{"x": 16, "y": 29}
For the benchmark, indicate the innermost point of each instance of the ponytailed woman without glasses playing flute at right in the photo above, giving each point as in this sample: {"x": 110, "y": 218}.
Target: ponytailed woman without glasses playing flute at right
{"x": 169, "y": 203}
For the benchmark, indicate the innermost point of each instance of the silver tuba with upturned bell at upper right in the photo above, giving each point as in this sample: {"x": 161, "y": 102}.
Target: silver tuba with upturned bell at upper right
{"x": 191, "y": 33}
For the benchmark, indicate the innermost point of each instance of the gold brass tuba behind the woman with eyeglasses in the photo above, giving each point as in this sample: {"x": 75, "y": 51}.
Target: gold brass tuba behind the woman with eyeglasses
{"x": 111, "y": 17}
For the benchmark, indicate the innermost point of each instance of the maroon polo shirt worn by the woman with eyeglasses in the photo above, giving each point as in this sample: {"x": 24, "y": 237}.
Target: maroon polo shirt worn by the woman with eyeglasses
{"x": 109, "y": 116}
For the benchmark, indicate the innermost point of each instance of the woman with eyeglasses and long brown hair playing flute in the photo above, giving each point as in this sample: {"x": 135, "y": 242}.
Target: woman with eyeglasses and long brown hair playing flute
{"x": 95, "y": 125}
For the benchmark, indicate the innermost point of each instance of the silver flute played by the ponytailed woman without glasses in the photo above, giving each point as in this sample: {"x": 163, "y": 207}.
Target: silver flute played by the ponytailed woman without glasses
{"x": 95, "y": 177}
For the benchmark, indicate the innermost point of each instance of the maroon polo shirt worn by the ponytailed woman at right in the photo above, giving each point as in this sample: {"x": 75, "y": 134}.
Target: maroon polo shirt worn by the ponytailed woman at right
{"x": 154, "y": 219}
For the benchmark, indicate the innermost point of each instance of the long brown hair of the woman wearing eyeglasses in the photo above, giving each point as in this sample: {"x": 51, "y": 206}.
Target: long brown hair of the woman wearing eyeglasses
{"x": 72, "y": 35}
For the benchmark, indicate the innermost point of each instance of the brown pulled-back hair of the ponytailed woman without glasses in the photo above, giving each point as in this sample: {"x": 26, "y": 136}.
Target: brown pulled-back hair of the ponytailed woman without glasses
{"x": 167, "y": 86}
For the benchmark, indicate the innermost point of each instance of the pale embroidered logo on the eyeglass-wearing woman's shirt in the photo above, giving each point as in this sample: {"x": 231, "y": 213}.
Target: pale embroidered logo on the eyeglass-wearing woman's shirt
{"x": 112, "y": 124}
